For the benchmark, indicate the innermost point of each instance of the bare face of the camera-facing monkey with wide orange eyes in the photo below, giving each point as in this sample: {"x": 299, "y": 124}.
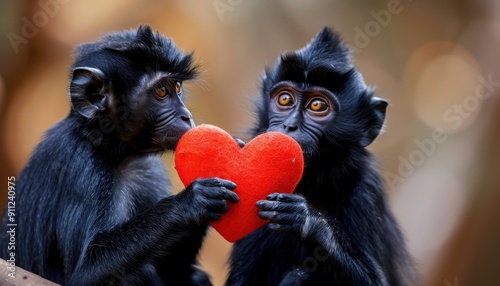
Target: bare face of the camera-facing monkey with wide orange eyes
{"x": 302, "y": 113}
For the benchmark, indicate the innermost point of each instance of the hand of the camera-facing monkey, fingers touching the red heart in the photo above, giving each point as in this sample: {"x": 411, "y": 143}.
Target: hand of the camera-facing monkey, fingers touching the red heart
{"x": 292, "y": 213}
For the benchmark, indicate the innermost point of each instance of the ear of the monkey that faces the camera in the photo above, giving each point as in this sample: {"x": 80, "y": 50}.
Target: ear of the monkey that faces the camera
{"x": 375, "y": 121}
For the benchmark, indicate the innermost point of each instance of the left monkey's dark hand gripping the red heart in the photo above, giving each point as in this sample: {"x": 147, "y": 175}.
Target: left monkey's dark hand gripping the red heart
{"x": 207, "y": 198}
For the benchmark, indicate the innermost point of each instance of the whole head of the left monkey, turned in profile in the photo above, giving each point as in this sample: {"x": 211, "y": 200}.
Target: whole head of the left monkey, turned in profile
{"x": 128, "y": 87}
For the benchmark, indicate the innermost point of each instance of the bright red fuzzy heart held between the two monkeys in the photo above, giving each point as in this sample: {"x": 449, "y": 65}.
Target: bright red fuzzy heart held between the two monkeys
{"x": 271, "y": 162}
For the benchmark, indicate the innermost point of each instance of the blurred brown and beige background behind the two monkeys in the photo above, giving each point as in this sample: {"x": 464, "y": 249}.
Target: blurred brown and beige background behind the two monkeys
{"x": 437, "y": 62}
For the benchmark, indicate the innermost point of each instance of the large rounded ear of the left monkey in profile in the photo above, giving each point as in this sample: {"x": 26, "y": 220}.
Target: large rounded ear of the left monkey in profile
{"x": 86, "y": 89}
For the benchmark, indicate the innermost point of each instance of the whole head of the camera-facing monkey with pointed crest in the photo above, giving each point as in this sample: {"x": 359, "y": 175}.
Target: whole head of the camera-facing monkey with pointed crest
{"x": 317, "y": 96}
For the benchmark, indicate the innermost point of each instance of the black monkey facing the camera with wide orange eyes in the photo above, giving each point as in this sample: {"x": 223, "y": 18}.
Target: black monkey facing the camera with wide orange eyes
{"x": 337, "y": 228}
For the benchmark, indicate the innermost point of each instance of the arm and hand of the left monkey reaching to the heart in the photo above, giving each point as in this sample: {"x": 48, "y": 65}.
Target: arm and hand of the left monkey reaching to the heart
{"x": 170, "y": 225}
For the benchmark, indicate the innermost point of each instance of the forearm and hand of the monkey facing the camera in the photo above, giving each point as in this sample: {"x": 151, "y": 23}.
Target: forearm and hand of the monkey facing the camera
{"x": 328, "y": 242}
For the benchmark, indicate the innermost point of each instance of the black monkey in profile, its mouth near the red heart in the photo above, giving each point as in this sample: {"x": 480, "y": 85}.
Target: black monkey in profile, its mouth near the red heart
{"x": 93, "y": 204}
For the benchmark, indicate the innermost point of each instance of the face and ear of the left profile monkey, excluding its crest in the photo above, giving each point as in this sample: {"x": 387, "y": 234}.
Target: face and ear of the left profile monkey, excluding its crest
{"x": 147, "y": 114}
